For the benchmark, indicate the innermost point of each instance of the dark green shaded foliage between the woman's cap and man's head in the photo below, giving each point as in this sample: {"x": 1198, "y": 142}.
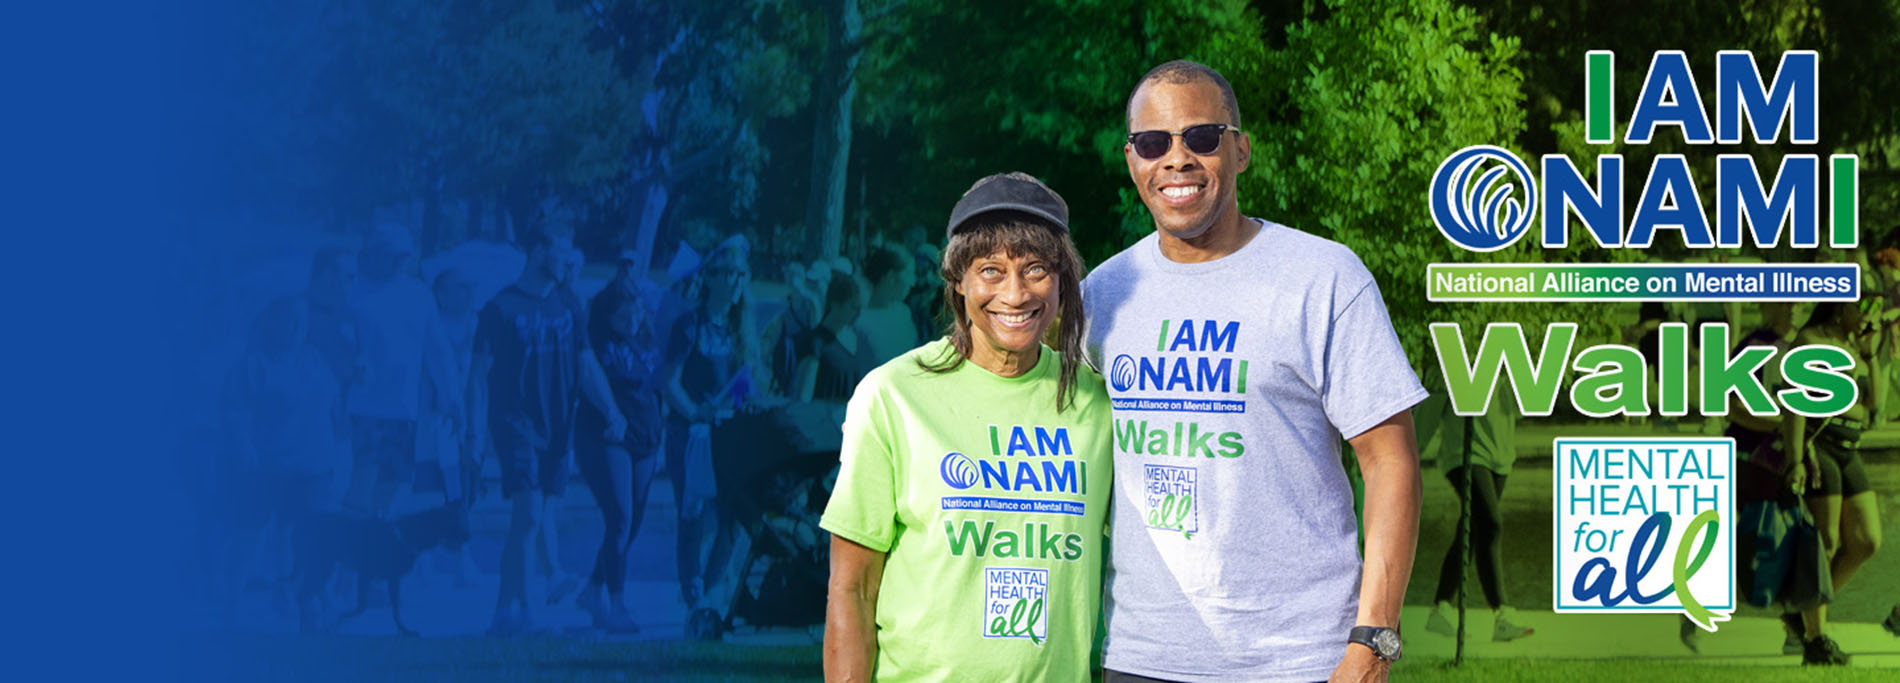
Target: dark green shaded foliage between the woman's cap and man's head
{"x": 976, "y": 88}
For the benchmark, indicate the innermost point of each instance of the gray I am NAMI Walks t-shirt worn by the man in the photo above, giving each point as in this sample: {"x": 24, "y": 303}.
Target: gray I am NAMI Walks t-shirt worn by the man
{"x": 1234, "y": 381}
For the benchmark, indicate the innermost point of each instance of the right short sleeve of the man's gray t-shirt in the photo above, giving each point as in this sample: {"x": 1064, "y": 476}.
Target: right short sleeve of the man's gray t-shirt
{"x": 1367, "y": 374}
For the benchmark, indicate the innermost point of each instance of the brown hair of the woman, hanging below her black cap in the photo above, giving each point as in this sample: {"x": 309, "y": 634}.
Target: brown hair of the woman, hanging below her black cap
{"x": 1017, "y": 235}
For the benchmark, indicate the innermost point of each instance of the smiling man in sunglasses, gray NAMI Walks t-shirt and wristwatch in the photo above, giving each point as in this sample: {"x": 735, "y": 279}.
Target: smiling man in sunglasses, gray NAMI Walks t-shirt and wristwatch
{"x": 1240, "y": 353}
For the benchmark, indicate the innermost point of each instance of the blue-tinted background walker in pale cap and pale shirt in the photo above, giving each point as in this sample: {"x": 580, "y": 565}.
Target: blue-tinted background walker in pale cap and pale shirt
{"x": 396, "y": 319}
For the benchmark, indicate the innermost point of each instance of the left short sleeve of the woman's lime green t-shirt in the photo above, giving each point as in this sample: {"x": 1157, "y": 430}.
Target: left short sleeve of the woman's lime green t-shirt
{"x": 864, "y": 505}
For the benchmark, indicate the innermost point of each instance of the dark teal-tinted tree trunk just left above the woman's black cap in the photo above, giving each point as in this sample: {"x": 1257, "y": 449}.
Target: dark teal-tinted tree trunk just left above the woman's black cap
{"x": 831, "y": 130}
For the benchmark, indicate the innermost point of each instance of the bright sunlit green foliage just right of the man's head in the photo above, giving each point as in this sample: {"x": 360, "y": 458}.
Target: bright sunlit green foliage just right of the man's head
{"x": 1361, "y": 107}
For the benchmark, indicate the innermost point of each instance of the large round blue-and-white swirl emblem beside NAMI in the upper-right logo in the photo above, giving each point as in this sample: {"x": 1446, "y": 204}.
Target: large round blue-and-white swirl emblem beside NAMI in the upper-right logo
{"x": 1483, "y": 199}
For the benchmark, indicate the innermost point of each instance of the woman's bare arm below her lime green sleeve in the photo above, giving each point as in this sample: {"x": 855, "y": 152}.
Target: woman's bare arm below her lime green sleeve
{"x": 852, "y": 612}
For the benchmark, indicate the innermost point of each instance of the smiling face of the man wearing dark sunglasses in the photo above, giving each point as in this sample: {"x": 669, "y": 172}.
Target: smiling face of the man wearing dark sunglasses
{"x": 1187, "y": 193}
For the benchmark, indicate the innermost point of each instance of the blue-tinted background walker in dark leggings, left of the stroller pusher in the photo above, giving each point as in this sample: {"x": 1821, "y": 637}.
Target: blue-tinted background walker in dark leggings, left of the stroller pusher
{"x": 620, "y": 326}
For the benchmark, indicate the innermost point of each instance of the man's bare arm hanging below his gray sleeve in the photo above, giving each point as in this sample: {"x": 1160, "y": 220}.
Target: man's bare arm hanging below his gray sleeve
{"x": 1390, "y": 463}
